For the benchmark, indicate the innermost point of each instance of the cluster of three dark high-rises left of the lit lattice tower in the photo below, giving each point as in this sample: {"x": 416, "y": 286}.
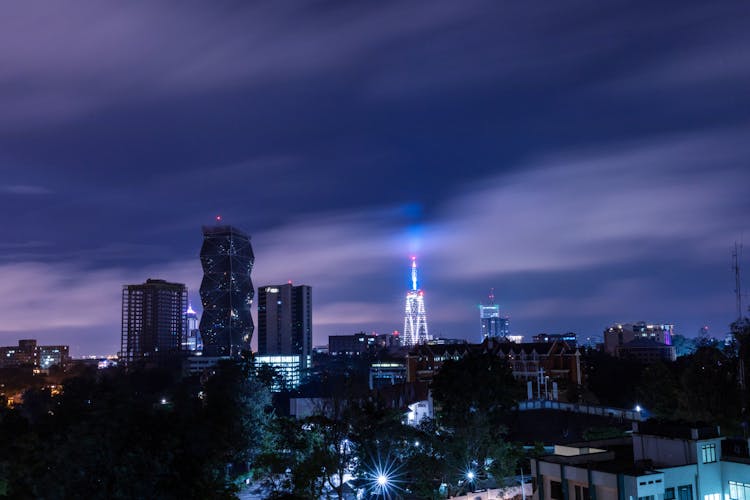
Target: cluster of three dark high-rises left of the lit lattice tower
{"x": 160, "y": 326}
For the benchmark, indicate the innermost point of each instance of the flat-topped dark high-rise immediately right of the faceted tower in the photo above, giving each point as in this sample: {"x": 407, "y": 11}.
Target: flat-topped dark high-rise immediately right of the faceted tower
{"x": 285, "y": 321}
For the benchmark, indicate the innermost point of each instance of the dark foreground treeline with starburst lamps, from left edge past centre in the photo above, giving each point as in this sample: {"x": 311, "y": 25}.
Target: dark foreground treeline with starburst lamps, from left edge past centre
{"x": 152, "y": 434}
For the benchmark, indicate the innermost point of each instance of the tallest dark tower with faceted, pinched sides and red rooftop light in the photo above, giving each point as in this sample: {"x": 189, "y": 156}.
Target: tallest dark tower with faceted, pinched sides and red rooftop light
{"x": 226, "y": 326}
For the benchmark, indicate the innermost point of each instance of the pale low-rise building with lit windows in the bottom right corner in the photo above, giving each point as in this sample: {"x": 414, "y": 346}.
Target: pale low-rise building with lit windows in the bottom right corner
{"x": 660, "y": 461}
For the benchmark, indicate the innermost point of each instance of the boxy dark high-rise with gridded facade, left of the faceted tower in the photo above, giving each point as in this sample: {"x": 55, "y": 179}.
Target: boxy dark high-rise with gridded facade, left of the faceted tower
{"x": 152, "y": 321}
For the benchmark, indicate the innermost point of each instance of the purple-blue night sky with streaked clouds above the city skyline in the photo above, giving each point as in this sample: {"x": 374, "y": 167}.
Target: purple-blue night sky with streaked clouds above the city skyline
{"x": 588, "y": 160}
